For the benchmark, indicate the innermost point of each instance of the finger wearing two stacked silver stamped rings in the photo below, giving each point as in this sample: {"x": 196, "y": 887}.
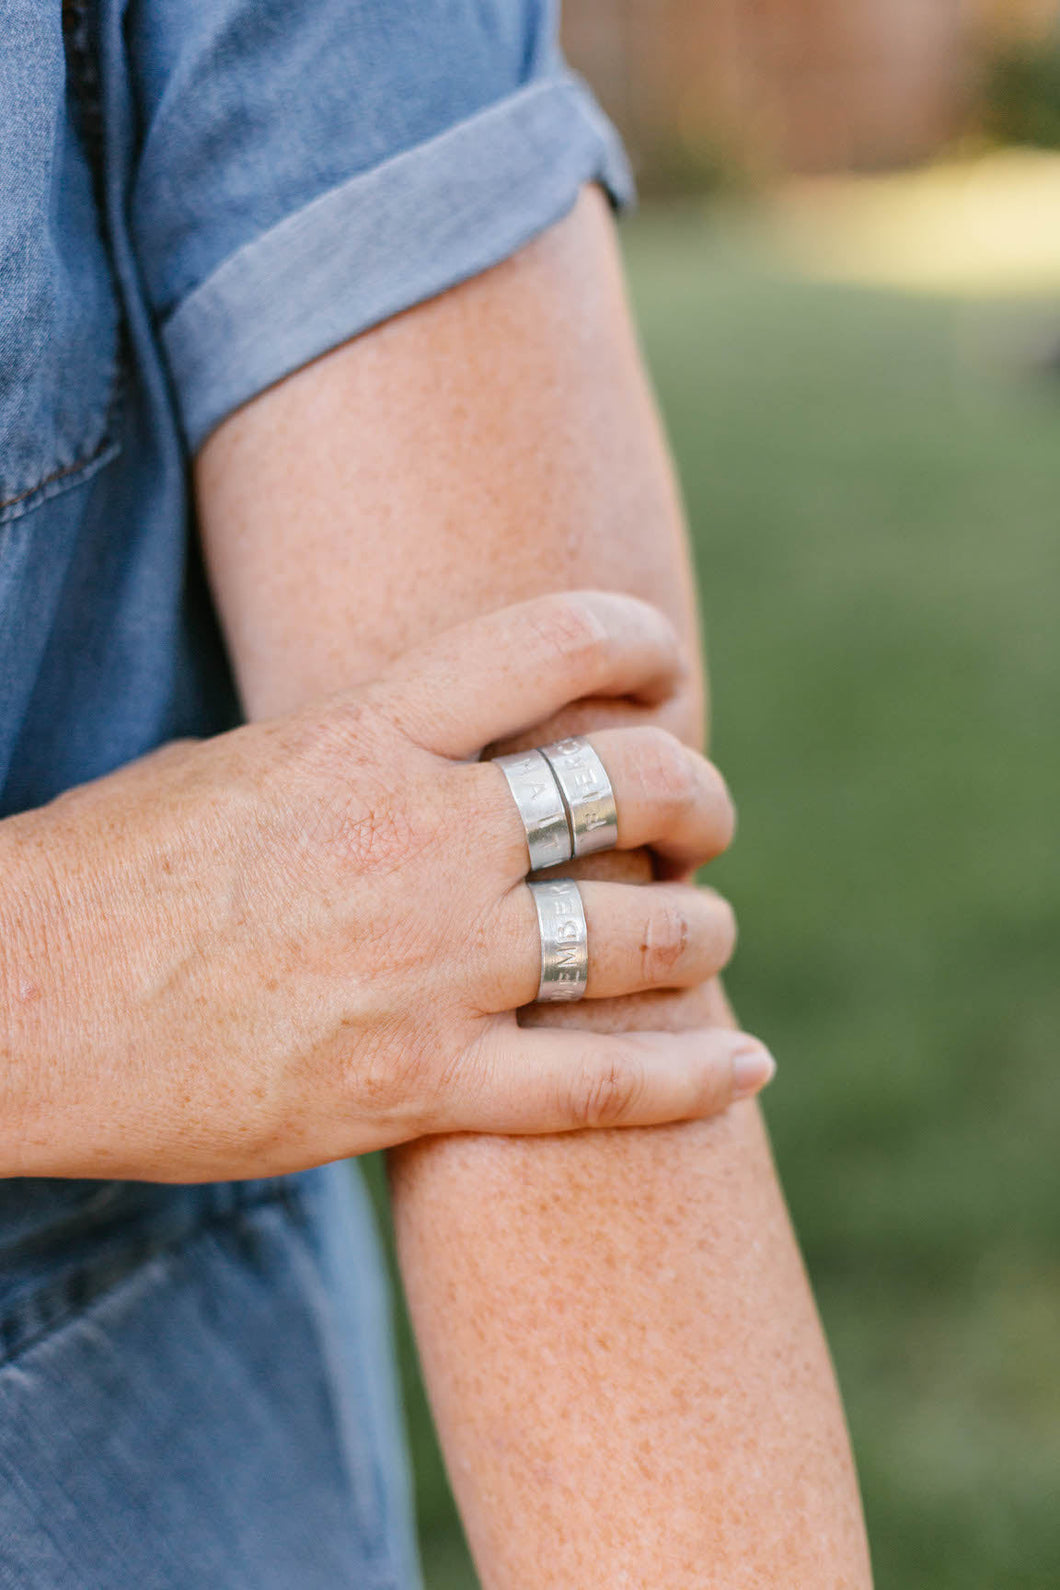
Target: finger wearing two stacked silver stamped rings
{"x": 668, "y": 797}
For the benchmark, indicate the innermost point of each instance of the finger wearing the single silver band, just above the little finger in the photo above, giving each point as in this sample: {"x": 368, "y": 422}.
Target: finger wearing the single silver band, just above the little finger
{"x": 640, "y": 937}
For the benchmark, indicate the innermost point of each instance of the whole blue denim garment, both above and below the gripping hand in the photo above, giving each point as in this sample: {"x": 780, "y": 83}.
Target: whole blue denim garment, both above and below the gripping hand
{"x": 198, "y": 198}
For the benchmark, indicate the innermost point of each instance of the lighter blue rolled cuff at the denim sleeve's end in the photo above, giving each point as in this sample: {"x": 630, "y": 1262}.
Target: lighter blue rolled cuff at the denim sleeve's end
{"x": 387, "y": 239}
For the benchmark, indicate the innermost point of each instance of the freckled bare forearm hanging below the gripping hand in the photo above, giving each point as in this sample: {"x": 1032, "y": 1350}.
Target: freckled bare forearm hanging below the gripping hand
{"x": 625, "y": 1363}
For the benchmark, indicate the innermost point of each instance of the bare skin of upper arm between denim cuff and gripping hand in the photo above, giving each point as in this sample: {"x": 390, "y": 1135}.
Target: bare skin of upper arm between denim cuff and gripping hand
{"x": 490, "y": 444}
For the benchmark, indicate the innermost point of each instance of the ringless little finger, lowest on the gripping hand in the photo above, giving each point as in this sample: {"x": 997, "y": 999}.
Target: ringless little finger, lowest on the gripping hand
{"x": 528, "y": 1080}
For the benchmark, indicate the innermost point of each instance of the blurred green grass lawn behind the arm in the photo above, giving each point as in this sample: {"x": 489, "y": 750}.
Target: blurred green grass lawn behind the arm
{"x": 875, "y": 514}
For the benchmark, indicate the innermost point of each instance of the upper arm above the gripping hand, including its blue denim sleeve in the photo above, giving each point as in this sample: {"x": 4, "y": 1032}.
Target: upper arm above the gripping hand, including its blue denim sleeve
{"x": 401, "y": 379}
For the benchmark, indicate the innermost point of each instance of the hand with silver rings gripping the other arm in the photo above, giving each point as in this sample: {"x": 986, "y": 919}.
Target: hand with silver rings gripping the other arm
{"x": 308, "y": 939}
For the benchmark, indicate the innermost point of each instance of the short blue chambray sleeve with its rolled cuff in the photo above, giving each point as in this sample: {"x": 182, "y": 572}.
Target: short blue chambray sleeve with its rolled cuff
{"x": 309, "y": 169}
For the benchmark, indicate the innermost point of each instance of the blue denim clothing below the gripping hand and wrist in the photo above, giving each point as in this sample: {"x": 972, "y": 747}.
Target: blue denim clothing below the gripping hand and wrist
{"x": 198, "y": 1390}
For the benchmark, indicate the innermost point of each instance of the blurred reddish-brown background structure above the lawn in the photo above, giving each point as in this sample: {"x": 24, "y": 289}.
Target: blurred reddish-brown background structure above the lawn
{"x": 792, "y": 85}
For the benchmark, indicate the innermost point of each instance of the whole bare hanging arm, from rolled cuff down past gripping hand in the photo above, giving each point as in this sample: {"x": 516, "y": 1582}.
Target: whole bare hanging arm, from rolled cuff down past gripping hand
{"x": 621, "y": 1346}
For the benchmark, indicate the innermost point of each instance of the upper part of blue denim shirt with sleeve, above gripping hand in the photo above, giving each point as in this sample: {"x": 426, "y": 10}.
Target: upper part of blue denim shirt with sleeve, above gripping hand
{"x": 196, "y": 198}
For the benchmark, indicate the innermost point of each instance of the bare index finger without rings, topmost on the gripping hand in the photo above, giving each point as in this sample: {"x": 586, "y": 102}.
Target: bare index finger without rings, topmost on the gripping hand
{"x": 509, "y": 670}
